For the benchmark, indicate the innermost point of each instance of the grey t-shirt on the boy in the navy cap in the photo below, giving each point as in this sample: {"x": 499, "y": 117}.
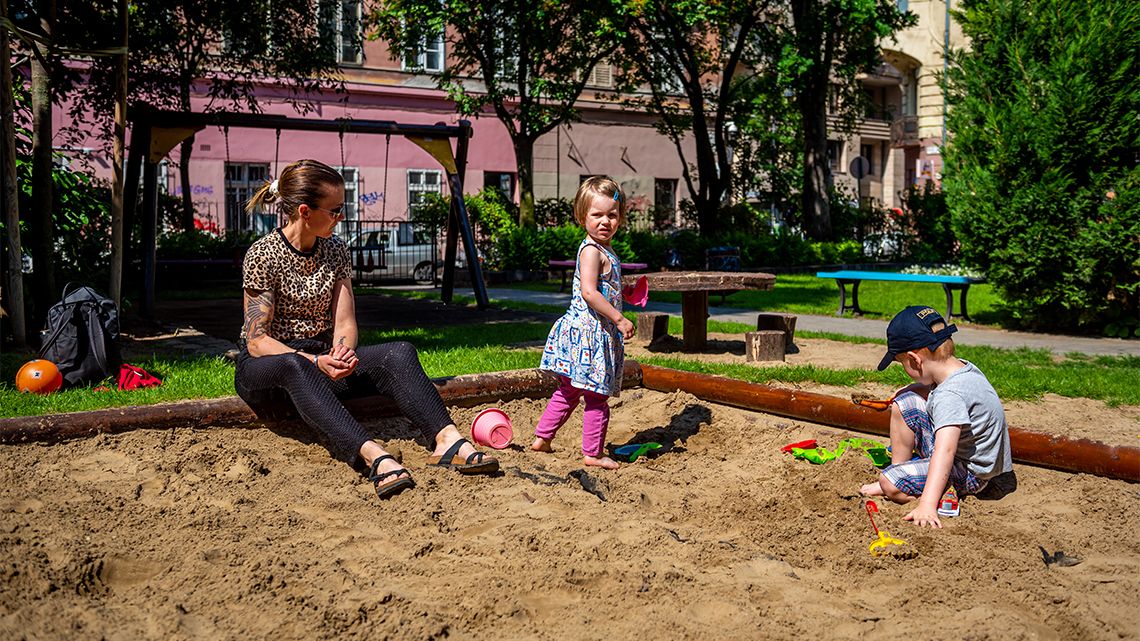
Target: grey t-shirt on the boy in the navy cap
{"x": 968, "y": 400}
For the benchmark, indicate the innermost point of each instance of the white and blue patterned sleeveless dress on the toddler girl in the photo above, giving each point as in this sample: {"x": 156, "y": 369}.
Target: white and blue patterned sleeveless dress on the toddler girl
{"x": 583, "y": 346}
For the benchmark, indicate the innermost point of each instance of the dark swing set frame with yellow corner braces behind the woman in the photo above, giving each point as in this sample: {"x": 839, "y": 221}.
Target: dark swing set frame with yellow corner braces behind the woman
{"x": 156, "y": 133}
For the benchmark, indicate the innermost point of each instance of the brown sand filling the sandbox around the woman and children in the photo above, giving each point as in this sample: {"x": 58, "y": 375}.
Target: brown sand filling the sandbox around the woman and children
{"x": 259, "y": 534}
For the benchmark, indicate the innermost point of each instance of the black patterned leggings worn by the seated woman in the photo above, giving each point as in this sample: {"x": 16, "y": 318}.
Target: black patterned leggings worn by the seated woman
{"x": 268, "y": 384}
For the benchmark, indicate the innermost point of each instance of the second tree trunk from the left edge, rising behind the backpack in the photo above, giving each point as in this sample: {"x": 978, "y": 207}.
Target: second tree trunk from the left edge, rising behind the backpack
{"x": 43, "y": 216}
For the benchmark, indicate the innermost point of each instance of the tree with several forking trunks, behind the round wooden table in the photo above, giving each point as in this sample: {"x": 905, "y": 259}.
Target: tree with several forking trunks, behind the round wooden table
{"x": 688, "y": 56}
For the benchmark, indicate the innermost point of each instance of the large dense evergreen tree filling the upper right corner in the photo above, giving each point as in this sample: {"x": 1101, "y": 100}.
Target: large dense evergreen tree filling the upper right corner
{"x": 1043, "y": 175}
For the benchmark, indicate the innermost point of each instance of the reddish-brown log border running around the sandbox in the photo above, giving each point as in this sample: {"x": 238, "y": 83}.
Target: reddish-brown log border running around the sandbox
{"x": 1036, "y": 449}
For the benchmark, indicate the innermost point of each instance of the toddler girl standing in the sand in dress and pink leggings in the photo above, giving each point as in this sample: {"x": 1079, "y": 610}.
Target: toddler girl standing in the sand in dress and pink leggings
{"x": 587, "y": 346}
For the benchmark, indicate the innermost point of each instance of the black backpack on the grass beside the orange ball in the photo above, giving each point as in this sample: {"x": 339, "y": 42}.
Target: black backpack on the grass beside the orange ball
{"x": 83, "y": 337}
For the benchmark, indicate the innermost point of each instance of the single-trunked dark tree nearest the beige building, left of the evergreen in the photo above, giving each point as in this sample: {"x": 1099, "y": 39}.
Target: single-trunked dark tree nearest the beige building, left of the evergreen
{"x": 829, "y": 45}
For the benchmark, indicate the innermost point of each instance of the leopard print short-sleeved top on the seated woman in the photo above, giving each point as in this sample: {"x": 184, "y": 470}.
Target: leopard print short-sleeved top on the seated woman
{"x": 303, "y": 282}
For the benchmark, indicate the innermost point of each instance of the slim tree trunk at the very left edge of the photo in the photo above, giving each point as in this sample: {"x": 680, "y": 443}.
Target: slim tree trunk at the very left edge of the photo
{"x": 14, "y": 267}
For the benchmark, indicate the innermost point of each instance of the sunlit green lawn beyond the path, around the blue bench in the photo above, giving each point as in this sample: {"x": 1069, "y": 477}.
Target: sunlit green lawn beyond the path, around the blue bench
{"x": 804, "y": 294}
